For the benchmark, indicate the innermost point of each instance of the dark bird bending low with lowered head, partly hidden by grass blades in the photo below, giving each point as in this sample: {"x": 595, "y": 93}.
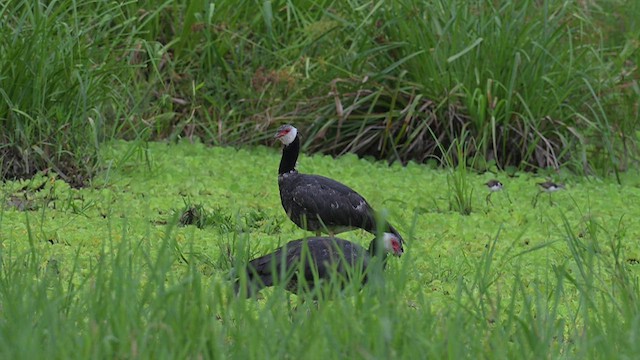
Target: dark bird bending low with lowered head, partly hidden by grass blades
{"x": 323, "y": 256}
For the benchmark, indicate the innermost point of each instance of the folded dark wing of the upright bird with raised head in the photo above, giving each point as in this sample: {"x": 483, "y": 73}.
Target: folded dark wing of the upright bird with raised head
{"x": 332, "y": 202}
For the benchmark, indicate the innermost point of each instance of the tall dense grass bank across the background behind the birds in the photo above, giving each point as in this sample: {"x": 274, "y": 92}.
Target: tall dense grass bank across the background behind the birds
{"x": 531, "y": 84}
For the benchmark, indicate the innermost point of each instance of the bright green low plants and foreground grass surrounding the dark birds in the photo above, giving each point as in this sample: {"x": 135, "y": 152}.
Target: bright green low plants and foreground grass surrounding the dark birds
{"x": 104, "y": 272}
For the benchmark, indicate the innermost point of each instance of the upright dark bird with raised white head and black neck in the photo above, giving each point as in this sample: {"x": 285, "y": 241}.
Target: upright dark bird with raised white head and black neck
{"x": 317, "y": 203}
